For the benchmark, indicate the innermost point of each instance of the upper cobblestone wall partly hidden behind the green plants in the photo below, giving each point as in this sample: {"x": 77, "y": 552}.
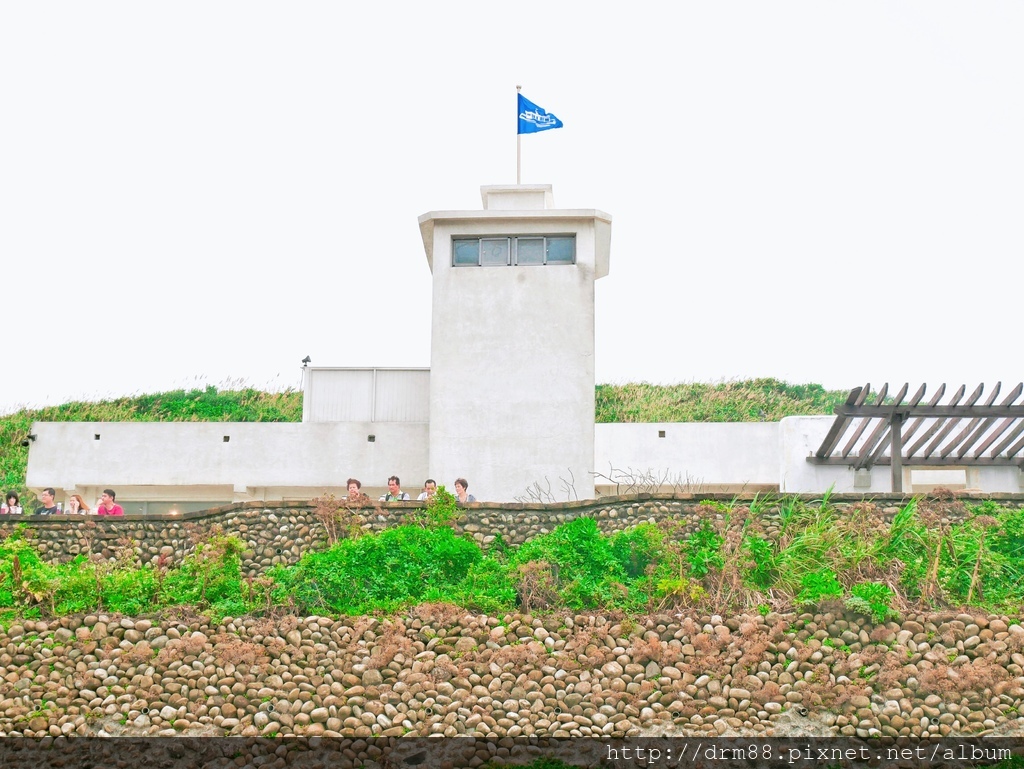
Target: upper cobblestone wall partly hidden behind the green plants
{"x": 281, "y": 533}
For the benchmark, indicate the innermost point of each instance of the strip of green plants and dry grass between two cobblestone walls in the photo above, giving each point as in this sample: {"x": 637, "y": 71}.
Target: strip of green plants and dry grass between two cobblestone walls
{"x": 773, "y": 556}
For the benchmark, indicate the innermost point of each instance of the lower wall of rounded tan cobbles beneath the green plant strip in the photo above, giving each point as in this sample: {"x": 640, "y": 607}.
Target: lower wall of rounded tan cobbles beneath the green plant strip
{"x": 439, "y": 672}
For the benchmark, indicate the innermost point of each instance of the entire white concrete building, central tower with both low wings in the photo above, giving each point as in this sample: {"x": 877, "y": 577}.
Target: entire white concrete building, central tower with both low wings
{"x": 508, "y": 403}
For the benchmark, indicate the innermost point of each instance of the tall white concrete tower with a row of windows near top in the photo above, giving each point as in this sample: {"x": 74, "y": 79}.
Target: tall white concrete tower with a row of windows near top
{"x": 513, "y": 343}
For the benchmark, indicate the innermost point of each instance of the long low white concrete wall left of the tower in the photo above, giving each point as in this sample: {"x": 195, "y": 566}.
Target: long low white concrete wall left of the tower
{"x": 261, "y": 459}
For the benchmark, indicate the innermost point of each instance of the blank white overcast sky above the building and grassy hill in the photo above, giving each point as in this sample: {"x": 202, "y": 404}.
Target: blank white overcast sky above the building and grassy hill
{"x": 201, "y": 192}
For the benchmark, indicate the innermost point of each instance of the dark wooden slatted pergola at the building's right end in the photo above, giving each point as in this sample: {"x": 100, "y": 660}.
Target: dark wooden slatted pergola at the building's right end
{"x": 908, "y": 433}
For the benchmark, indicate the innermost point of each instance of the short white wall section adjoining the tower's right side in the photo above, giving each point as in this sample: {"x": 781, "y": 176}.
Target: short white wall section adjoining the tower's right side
{"x": 704, "y": 456}
